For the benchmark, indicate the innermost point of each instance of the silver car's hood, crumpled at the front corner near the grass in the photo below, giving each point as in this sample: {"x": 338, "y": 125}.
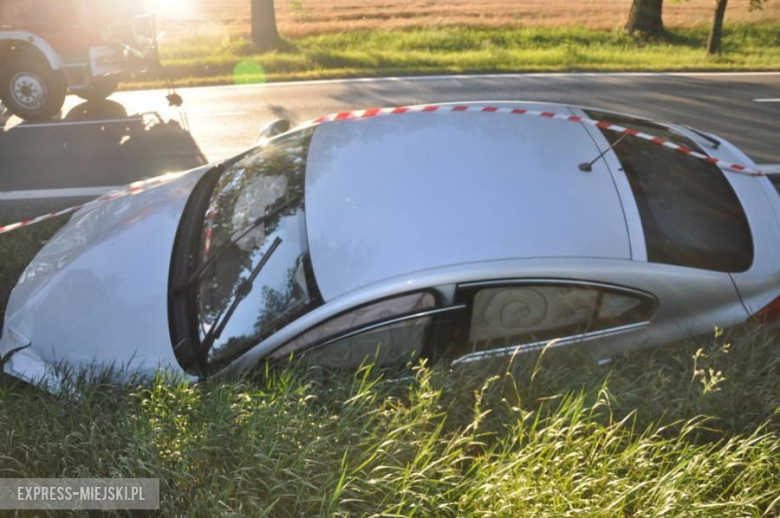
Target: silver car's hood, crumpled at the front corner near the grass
{"x": 81, "y": 299}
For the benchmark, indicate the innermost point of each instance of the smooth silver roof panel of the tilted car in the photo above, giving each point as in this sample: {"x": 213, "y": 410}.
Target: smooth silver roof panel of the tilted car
{"x": 393, "y": 195}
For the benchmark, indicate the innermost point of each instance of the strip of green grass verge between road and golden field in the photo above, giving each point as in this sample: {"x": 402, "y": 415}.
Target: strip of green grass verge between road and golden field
{"x": 208, "y": 60}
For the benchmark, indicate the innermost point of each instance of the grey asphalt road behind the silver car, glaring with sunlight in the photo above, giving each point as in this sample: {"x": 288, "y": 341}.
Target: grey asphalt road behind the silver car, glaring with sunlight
{"x": 136, "y": 135}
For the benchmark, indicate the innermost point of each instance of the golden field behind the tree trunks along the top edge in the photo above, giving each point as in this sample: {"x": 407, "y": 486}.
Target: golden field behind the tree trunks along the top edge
{"x": 299, "y": 18}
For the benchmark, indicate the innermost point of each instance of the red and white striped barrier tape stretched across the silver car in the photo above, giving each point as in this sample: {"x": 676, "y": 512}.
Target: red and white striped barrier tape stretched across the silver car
{"x": 380, "y": 112}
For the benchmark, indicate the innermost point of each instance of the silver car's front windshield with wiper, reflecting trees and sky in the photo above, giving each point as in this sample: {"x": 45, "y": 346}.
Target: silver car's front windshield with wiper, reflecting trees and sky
{"x": 267, "y": 183}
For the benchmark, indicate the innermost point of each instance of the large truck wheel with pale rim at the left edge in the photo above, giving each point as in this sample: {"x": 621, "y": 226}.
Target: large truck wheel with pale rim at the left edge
{"x": 32, "y": 90}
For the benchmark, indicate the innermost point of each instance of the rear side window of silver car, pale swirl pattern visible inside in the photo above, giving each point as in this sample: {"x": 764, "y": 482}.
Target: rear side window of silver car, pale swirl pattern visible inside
{"x": 509, "y": 316}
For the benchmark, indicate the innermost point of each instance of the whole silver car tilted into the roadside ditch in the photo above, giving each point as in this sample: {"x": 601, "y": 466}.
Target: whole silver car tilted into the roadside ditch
{"x": 455, "y": 237}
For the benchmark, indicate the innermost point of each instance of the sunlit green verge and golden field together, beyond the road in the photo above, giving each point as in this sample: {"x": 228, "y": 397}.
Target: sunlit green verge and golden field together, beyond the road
{"x": 207, "y": 40}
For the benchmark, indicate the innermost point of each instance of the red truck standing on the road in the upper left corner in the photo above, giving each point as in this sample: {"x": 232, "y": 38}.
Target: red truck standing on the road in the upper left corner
{"x": 48, "y": 47}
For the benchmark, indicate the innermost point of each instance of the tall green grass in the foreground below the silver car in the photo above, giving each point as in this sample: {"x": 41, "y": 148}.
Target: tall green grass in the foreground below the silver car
{"x": 547, "y": 436}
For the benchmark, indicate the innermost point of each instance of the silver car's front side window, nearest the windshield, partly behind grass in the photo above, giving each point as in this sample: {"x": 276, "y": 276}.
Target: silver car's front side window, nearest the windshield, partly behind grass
{"x": 392, "y": 343}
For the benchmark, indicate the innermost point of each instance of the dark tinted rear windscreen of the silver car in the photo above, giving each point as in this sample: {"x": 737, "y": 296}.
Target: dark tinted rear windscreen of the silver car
{"x": 690, "y": 214}
